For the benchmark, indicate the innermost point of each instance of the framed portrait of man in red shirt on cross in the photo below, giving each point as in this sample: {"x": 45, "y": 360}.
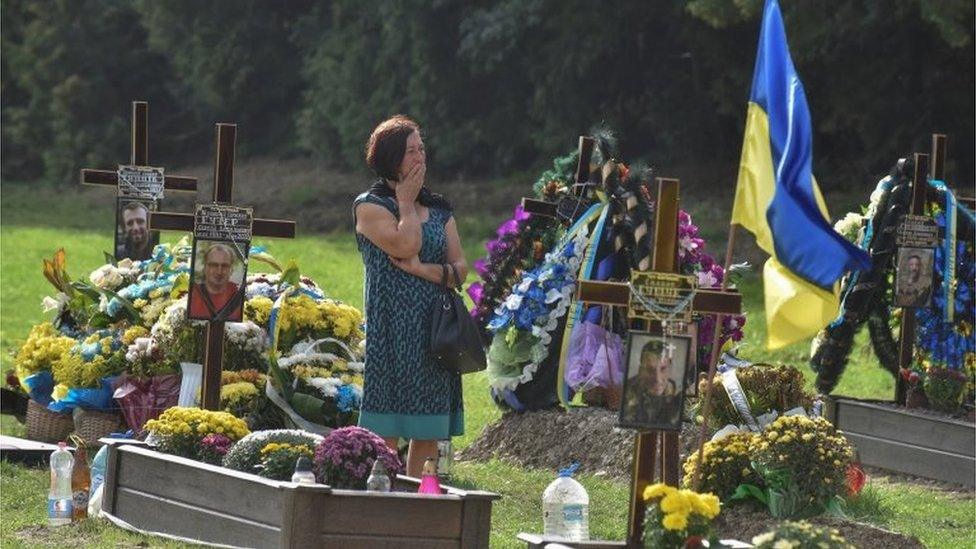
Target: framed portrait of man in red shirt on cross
{"x": 218, "y": 273}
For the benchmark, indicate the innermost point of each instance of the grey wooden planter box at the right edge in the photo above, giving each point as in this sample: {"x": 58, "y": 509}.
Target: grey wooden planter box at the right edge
{"x": 915, "y": 443}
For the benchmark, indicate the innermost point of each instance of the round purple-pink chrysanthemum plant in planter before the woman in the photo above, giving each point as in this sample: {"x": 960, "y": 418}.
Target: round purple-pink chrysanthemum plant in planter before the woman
{"x": 345, "y": 457}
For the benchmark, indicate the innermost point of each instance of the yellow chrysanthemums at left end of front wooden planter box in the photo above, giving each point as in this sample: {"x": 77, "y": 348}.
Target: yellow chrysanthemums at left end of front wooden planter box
{"x": 181, "y": 431}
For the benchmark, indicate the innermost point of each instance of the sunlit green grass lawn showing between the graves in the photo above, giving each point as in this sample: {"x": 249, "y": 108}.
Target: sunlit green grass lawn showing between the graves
{"x": 27, "y": 235}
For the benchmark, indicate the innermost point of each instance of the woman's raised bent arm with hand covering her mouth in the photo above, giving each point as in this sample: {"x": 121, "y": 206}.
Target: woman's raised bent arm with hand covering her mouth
{"x": 399, "y": 238}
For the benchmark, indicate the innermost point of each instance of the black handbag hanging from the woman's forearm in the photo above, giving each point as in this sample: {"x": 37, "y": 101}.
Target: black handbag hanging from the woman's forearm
{"x": 455, "y": 340}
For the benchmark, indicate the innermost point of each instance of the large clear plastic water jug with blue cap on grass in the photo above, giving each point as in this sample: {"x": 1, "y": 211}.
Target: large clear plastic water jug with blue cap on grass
{"x": 566, "y": 507}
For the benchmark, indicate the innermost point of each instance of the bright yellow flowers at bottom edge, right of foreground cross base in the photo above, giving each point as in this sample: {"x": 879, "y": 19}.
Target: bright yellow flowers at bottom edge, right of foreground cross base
{"x": 678, "y": 518}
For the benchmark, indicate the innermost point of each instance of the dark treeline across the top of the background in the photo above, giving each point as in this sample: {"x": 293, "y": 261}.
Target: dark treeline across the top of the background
{"x": 499, "y": 85}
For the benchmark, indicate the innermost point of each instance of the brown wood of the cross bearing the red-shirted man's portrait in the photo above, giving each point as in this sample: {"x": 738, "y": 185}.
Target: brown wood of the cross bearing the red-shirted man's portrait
{"x": 222, "y": 193}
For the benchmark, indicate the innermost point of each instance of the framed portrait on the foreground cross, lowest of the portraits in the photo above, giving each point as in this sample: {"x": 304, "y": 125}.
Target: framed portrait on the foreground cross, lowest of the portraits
{"x": 654, "y": 387}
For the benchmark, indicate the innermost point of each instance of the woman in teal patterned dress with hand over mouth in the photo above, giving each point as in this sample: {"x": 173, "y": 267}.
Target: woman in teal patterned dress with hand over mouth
{"x": 406, "y": 235}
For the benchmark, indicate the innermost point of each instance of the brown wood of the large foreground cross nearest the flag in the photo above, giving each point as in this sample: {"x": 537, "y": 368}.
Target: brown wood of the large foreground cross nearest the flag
{"x": 664, "y": 258}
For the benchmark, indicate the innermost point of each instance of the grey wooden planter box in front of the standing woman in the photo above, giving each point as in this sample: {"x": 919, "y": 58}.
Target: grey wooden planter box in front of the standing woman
{"x": 173, "y": 496}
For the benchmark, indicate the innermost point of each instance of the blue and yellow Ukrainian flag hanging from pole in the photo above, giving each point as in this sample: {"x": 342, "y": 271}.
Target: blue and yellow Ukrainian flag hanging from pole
{"x": 777, "y": 198}
